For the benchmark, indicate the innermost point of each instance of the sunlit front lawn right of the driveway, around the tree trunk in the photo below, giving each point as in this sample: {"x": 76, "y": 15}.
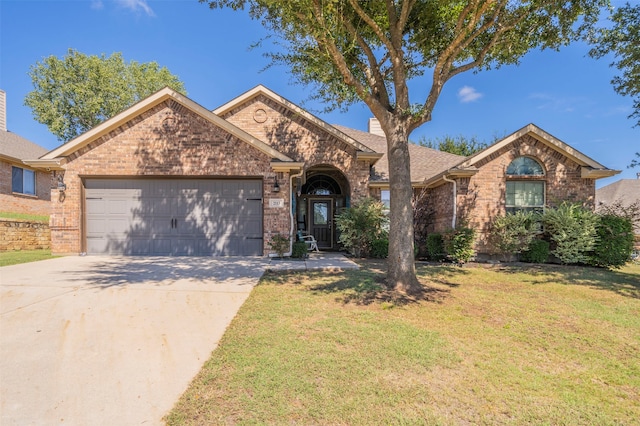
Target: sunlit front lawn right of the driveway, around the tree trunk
{"x": 486, "y": 345}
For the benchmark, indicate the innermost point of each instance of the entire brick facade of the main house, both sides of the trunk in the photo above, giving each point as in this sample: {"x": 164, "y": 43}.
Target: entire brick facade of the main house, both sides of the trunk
{"x": 169, "y": 139}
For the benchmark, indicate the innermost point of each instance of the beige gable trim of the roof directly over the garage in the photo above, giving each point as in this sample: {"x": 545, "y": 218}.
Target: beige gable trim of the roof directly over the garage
{"x": 57, "y": 157}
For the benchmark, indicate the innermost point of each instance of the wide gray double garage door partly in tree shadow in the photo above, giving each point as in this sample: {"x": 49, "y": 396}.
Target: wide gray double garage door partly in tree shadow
{"x": 177, "y": 217}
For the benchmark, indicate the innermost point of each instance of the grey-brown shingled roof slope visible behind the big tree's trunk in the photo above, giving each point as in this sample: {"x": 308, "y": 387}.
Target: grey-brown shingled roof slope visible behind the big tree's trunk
{"x": 425, "y": 162}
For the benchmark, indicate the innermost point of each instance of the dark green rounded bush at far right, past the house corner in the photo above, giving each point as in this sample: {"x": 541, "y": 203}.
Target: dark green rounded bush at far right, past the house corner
{"x": 614, "y": 242}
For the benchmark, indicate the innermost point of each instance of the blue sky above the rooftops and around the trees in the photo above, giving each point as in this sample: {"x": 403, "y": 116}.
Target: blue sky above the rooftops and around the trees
{"x": 566, "y": 93}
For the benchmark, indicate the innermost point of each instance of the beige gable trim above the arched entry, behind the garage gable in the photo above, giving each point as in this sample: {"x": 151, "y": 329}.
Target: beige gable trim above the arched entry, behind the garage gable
{"x": 364, "y": 152}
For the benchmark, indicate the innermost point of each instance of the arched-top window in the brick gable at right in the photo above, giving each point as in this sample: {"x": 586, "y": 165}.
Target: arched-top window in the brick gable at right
{"x": 525, "y": 185}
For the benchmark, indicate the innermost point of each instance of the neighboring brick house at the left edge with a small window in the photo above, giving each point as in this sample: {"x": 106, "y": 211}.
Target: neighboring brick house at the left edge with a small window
{"x": 23, "y": 189}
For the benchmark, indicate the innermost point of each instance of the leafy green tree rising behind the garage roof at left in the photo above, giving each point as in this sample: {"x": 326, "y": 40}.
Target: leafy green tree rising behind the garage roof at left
{"x": 77, "y": 92}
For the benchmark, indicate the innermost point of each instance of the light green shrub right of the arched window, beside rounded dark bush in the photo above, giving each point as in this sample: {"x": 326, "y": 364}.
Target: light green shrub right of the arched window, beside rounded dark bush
{"x": 572, "y": 229}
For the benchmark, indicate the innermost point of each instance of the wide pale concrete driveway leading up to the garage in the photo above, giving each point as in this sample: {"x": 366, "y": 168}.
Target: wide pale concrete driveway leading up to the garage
{"x": 111, "y": 340}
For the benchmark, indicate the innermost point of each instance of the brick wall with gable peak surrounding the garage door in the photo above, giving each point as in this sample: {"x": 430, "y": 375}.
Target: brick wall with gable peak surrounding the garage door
{"x": 167, "y": 141}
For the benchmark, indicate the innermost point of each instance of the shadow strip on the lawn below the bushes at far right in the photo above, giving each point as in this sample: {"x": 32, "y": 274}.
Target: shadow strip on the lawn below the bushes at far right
{"x": 619, "y": 282}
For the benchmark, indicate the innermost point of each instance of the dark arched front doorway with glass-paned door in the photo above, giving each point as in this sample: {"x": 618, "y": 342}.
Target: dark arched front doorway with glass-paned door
{"x": 324, "y": 194}
